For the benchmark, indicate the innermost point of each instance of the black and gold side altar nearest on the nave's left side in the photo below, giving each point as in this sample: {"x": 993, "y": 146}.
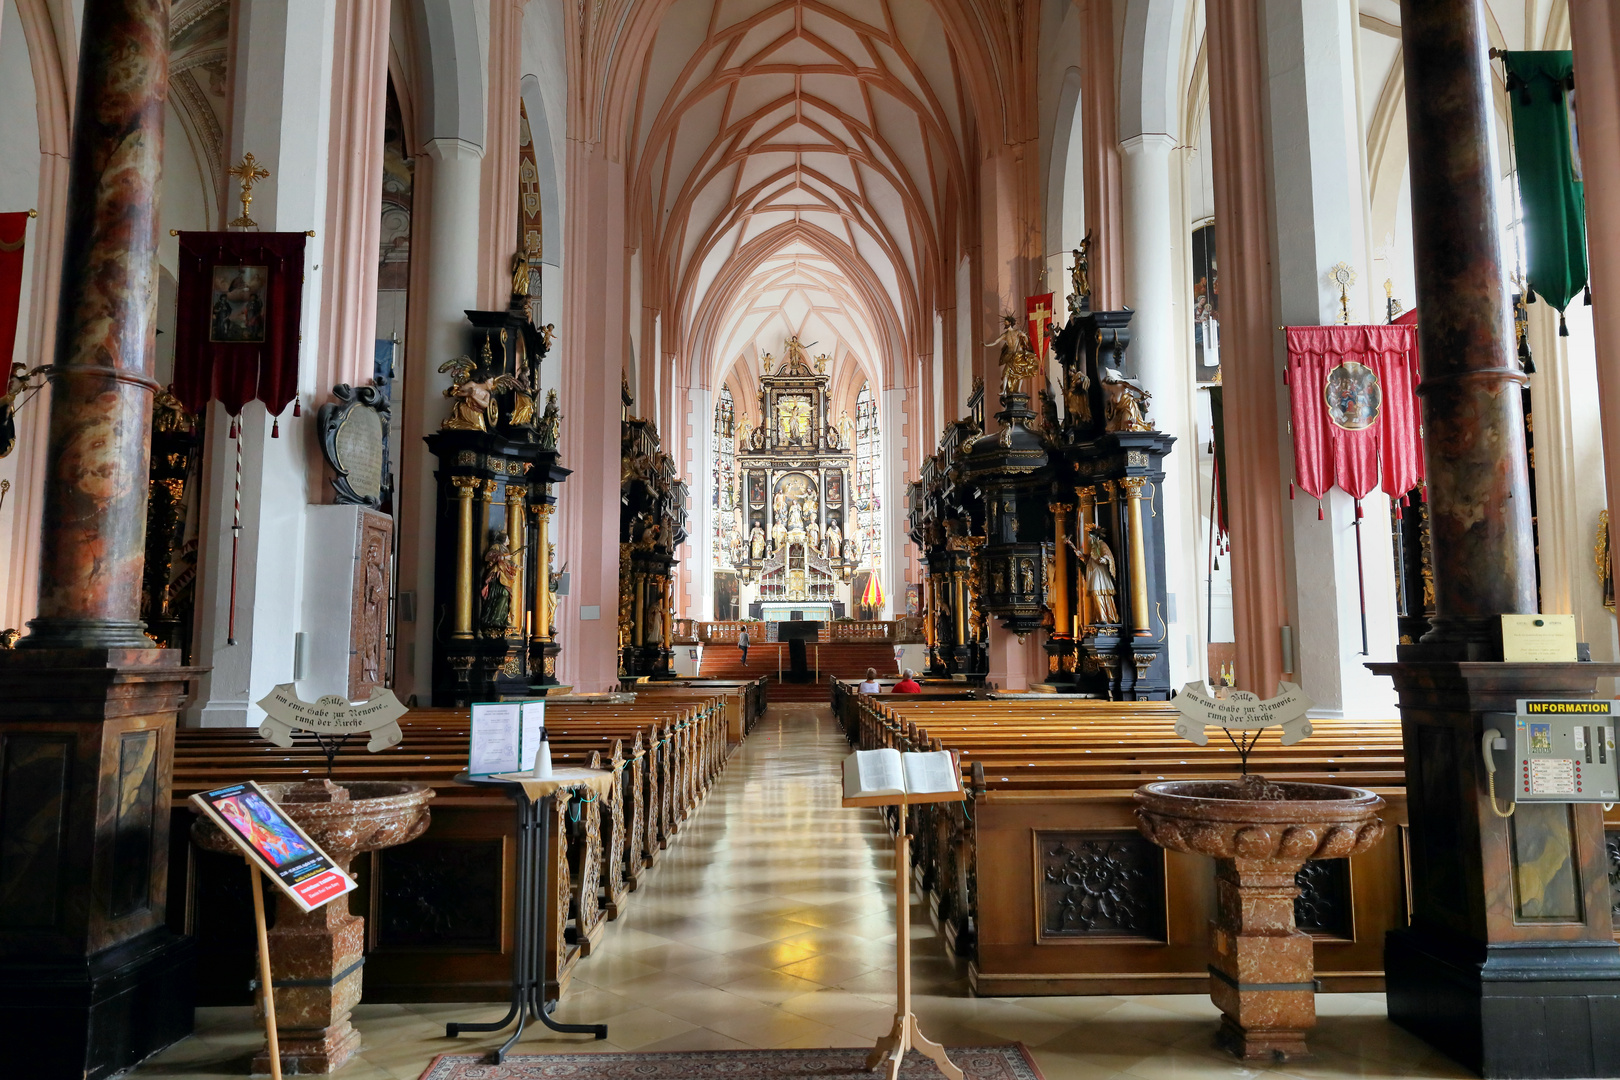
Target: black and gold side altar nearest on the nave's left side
{"x": 495, "y": 590}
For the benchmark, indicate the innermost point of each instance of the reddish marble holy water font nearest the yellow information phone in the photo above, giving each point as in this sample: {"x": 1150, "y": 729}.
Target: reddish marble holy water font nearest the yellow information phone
{"x": 1261, "y": 835}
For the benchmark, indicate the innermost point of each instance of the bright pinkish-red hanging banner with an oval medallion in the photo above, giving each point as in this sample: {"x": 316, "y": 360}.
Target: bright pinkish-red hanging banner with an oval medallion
{"x": 1355, "y": 409}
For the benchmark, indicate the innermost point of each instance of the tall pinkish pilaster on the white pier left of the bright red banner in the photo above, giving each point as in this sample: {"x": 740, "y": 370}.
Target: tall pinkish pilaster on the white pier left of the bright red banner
{"x": 1243, "y": 221}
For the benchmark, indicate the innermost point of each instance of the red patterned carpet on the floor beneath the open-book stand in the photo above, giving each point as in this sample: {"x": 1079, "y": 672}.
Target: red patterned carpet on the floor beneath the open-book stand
{"x": 978, "y": 1063}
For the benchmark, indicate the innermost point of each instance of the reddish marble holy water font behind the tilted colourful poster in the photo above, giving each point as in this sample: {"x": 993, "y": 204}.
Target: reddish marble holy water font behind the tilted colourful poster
{"x": 317, "y": 958}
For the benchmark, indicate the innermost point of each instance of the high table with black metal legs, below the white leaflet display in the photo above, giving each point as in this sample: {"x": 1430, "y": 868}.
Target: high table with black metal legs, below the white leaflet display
{"x": 534, "y": 883}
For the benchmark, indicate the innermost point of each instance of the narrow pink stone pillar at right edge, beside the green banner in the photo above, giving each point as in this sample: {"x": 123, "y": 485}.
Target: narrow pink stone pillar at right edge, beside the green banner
{"x": 1595, "y": 28}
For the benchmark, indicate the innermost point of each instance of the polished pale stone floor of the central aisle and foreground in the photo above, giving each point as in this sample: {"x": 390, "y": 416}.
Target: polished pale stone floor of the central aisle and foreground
{"x": 770, "y": 924}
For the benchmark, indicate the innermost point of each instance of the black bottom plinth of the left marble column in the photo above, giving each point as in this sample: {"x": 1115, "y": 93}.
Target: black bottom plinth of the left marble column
{"x": 90, "y": 1019}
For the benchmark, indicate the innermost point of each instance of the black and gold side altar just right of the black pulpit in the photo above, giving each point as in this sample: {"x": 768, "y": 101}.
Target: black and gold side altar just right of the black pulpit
{"x": 1111, "y": 608}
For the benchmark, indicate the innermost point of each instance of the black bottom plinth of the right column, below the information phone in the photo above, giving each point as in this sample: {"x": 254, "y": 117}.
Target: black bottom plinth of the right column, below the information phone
{"x": 1535, "y": 1011}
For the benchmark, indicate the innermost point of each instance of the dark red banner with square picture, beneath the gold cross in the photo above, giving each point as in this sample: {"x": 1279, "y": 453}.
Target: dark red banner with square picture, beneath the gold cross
{"x": 237, "y": 320}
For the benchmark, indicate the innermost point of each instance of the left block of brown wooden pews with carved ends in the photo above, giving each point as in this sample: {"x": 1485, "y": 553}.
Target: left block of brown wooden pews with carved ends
{"x": 440, "y": 911}
